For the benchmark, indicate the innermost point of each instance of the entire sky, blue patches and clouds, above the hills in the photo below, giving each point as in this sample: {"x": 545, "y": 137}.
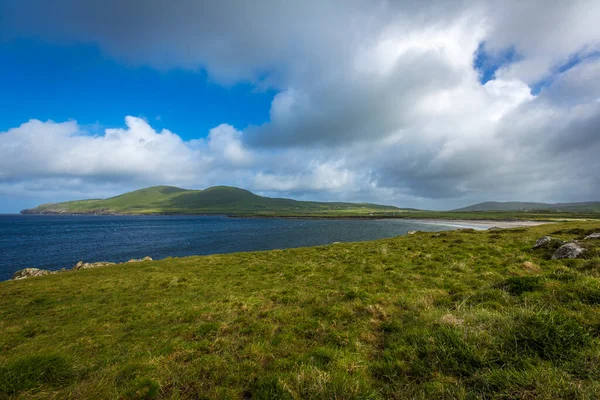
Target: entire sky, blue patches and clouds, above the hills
{"x": 433, "y": 104}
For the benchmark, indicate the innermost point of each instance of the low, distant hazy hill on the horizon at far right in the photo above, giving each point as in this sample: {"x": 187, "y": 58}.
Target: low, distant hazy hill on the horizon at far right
{"x": 591, "y": 206}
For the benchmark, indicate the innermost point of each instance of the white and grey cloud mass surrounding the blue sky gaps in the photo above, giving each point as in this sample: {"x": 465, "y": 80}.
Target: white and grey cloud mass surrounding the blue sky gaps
{"x": 375, "y": 101}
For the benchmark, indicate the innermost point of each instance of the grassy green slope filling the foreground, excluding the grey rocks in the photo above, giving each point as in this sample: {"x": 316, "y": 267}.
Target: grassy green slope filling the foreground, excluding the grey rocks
{"x": 459, "y": 315}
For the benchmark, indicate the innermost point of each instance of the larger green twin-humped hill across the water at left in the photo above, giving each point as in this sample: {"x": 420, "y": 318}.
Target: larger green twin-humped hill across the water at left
{"x": 214, "y": 200}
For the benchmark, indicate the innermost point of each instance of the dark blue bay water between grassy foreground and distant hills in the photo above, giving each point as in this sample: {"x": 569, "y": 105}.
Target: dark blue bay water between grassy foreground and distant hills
{"x": 54, "y": 242}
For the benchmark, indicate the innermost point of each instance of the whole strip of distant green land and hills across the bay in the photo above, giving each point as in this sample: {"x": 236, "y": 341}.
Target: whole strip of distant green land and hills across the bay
{"x": 238, "y": 202}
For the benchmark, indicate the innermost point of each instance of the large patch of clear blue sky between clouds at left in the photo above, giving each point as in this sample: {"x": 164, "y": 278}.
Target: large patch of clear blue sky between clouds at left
{"x": 58, "y": 82}
